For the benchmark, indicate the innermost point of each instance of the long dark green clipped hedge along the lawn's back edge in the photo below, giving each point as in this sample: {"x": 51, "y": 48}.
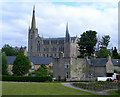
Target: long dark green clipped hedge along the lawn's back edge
{"x": 27, "y": 78}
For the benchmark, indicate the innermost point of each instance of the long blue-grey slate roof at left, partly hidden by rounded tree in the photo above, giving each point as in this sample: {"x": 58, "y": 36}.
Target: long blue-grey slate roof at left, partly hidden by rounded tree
{"x": 35, "y": 60}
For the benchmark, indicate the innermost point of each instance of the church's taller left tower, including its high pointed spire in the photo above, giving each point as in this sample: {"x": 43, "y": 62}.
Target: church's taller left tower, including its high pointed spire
{"x": 32, "y": 35}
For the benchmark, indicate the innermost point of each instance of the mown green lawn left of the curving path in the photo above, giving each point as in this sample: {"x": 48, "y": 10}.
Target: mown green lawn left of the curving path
{"x": 14, "y": 88}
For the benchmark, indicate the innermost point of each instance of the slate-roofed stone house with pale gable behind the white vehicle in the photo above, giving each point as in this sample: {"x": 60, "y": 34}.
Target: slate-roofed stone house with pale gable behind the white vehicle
{"x": 102, "y": 66}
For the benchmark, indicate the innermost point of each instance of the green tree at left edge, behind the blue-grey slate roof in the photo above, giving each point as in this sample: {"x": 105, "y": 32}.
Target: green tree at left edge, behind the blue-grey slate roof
{"x": 8, "y": 50}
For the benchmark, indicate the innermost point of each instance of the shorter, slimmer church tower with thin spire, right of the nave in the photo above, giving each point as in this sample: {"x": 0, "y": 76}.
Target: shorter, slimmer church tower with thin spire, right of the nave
{"x": 67, "y": 43}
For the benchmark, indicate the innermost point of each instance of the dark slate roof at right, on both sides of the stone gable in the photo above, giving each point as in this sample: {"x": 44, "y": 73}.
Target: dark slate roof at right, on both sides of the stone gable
{"x": 102, "y": 62}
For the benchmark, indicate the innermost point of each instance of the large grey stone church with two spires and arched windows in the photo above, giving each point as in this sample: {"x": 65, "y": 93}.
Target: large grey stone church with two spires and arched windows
{"x": 50, "y": 47}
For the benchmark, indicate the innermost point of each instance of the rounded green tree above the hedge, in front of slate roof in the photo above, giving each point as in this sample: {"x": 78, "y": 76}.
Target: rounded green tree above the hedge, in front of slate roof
{"x": 21, "y": 65}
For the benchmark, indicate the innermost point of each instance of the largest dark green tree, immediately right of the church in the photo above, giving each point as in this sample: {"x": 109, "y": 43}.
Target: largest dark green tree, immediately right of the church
{"x": 87, "y": 42}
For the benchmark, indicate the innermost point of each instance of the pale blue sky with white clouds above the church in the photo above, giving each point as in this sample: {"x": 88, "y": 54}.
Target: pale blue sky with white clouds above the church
{"x": 52, "y": 16}
